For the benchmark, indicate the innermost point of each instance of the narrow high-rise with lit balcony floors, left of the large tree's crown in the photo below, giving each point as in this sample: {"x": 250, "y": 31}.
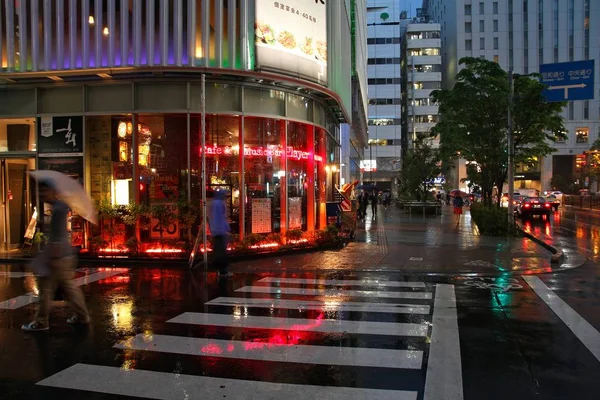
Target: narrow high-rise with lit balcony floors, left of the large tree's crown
{"x": 421, "y": 75}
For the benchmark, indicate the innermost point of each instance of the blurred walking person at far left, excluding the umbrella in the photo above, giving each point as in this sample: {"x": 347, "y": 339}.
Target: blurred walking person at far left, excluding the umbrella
{"x": 56, "y": 265}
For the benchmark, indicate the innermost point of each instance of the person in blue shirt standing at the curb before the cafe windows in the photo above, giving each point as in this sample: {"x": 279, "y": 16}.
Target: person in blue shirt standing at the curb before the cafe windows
{"x": 219, "y": 230}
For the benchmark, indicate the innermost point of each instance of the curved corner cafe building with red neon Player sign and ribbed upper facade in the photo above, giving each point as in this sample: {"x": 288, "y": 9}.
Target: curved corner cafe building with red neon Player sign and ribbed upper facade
{"x": 109, "y": 92}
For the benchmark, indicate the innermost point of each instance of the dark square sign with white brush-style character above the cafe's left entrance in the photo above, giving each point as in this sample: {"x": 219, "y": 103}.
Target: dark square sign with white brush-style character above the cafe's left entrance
{"x": 60, "y": 135}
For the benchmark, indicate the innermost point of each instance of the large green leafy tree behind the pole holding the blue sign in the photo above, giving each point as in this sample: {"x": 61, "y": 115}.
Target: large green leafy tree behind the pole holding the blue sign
{"x": 474, "y": 122}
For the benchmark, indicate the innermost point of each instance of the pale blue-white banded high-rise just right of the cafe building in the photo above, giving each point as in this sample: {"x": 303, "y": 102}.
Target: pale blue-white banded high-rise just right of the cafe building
{"x": 386, "y": 22}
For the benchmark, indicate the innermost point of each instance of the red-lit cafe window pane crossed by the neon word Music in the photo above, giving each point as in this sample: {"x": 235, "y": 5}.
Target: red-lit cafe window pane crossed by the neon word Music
{"x": 264, "y": 171}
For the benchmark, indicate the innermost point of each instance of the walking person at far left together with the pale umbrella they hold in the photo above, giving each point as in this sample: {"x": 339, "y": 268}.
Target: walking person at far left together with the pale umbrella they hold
{"x": 56, "y": 265}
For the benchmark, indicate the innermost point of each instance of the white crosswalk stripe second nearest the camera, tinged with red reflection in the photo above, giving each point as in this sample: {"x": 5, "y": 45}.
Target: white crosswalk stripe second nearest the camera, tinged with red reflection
{"x": 263, "y": 351}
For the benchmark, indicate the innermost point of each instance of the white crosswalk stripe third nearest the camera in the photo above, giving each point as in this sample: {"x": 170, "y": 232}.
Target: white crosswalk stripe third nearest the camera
{"x": 298, "y": 324}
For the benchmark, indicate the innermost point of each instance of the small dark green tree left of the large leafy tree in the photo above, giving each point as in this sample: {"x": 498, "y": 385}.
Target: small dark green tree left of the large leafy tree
{"x": 421, "y": 166}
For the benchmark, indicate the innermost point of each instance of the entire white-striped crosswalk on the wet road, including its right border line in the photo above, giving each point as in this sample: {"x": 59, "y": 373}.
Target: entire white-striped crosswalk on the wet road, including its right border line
{"x": 301, "y": 323}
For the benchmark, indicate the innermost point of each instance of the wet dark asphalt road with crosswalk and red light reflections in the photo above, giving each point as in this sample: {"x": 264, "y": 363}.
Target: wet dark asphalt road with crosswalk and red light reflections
{"x": 172, "y": 334}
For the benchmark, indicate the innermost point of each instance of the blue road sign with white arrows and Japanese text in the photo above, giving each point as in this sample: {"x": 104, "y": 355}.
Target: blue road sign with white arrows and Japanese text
{"x": 568, "y": 81}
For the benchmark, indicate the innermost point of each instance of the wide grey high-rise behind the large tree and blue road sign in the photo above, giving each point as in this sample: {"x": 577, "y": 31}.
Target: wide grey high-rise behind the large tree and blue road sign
{"x": 521, "y": 35}
